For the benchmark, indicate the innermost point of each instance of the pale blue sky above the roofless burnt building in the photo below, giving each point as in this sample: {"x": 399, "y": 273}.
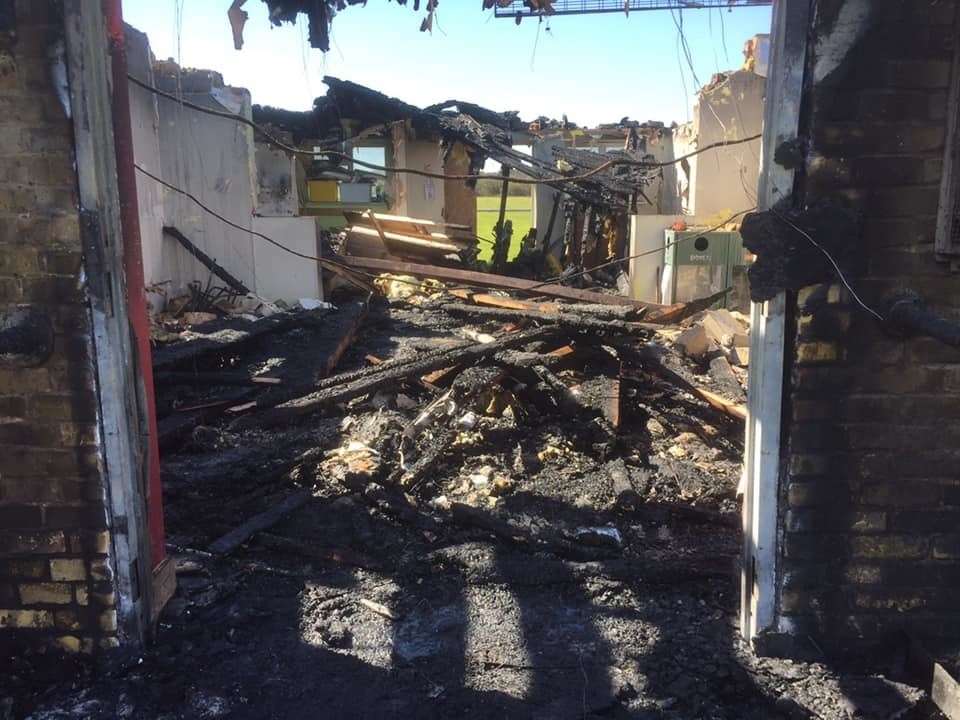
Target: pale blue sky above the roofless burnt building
{"x": 593, "y": 68}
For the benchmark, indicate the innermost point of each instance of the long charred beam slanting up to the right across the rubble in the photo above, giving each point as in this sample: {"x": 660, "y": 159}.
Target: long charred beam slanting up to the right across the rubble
{"x": 383, "y": 376}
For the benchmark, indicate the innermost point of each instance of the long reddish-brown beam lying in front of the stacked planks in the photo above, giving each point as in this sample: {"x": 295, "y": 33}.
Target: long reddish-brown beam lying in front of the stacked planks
{"x": 504, "y": 282}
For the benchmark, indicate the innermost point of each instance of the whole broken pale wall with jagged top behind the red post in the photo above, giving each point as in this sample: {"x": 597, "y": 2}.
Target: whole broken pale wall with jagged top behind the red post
{"x": 215, "y": 159}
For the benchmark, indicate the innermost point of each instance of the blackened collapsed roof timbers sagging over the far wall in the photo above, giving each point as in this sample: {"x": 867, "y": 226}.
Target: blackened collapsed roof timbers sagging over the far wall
{"x": 487, "y": 133}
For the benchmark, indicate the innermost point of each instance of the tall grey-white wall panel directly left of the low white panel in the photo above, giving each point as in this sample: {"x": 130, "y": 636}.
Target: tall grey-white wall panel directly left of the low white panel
{"x": 213, "y": 159}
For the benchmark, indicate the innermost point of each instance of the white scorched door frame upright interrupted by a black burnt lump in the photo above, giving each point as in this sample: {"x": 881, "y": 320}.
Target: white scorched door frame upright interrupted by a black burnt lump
{"x": 762, "y": 453}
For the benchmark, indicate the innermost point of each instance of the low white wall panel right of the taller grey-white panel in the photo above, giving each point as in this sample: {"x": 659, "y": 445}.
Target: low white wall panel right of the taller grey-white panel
{"x": 280, "y": 275}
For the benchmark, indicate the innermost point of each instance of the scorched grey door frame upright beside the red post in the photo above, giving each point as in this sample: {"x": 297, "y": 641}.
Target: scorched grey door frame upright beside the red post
{"x": 122, "y": 410}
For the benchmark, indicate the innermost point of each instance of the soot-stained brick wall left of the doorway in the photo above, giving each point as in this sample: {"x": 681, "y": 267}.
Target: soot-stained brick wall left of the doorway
{"x": 55, "y": 579}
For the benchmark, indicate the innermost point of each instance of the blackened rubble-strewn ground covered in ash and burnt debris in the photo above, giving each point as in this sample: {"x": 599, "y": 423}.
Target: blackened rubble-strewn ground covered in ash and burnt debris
{"x": 515, "y": 554}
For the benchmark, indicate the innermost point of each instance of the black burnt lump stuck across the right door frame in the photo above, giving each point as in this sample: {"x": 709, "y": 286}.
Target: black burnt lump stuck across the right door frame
{"x": 792, "y": 247}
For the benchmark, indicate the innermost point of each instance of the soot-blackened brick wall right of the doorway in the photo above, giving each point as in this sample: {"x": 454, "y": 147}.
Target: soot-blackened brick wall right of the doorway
{"x": 871, "y": 502}
